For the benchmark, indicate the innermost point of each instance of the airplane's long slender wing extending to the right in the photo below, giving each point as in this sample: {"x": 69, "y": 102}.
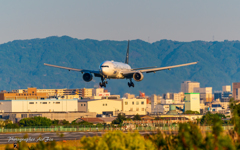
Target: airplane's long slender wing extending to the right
{"x": 127, "y": 73}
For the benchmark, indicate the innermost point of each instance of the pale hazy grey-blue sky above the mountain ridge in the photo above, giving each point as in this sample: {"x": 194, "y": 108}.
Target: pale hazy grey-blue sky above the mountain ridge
{"x": 153, "y": 20}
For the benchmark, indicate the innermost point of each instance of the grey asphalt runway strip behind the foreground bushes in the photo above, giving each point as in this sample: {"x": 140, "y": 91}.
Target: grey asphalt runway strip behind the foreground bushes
{"x": 48, "y": 136}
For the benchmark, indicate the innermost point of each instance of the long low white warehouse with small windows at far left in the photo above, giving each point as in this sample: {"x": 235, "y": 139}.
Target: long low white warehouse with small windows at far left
{"x": 48, "y": 105}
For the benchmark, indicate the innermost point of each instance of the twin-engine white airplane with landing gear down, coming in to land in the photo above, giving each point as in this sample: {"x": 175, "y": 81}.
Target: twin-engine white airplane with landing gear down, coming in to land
{"x": 118, "y": 70}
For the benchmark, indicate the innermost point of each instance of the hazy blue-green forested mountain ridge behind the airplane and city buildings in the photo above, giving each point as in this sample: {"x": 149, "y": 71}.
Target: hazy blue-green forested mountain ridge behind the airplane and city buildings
{"x": 22, "y": 63}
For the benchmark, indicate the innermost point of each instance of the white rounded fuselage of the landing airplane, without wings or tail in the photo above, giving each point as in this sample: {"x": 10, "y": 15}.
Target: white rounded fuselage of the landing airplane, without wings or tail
{"x": 111, "y": 69}
